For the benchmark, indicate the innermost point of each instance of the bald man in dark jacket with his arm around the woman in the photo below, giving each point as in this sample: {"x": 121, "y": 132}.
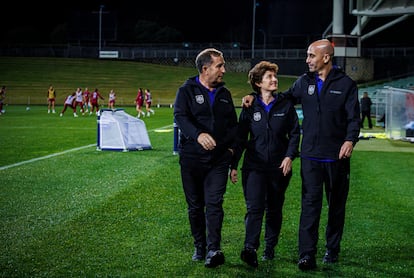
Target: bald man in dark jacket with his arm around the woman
{"x": 331, "y": 125}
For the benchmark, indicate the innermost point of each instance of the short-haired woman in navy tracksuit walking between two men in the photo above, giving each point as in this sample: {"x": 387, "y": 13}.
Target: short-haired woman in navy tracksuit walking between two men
{"x": 269, "y": 133}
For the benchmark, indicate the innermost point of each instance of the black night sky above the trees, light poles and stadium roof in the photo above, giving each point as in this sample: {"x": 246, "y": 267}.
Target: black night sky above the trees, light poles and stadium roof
{"x": 198, "y": 21}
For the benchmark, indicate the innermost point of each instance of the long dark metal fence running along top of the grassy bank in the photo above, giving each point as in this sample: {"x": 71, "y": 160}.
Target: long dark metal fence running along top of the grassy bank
{"x": 172, "y": 52}
